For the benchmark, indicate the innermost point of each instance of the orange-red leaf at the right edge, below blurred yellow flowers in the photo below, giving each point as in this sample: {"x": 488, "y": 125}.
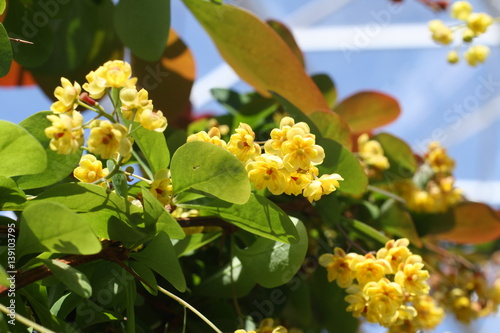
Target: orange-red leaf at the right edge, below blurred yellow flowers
{"x": 474, "y": 223}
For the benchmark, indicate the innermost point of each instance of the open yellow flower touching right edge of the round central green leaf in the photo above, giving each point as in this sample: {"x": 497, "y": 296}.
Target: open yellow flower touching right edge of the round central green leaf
{"x": 267, "y": 171}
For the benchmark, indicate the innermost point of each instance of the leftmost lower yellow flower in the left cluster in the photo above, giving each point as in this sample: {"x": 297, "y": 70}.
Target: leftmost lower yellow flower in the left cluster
{"x": 66, "y": 133}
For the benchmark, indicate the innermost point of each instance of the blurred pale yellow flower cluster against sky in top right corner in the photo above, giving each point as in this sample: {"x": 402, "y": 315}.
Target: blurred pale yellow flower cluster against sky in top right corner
{"x": 473, "y": 25}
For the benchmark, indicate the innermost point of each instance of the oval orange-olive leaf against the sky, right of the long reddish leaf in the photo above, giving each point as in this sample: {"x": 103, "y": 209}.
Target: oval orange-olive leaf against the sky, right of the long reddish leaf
{"x": 367, "y": 110}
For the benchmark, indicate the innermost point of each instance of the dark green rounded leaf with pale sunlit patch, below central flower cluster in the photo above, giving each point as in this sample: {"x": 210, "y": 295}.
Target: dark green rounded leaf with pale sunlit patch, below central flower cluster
{"x": 272, "y": 263}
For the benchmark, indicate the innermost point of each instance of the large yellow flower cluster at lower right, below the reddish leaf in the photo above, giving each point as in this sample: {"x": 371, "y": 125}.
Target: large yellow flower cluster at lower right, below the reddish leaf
{"x": 385, "y": 287}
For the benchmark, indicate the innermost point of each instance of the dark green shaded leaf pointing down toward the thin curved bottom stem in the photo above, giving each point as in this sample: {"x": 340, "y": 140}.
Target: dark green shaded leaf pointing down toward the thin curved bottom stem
{"x": 160, "y": 256}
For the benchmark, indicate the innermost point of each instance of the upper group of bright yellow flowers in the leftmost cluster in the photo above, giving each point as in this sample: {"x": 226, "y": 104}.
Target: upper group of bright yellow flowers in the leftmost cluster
{"x": 108, "y": 138}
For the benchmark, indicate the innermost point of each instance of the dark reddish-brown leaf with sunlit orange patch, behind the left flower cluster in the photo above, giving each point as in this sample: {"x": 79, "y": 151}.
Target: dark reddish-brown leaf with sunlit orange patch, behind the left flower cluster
{"x": 169, "y": 80}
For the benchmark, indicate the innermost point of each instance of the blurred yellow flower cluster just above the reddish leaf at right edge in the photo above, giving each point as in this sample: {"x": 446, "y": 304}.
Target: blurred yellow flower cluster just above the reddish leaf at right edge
{"x": 439, "y": 193}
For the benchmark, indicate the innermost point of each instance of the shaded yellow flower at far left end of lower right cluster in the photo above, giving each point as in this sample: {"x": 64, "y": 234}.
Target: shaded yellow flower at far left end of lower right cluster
{"x": 337, "y": 266}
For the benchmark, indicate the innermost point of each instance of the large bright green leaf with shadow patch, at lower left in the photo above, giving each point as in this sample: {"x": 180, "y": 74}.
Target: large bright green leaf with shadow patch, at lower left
{"x": 51, "y": 227}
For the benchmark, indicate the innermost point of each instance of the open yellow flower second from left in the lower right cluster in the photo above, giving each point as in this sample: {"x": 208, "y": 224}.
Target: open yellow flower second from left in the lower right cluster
{"x": 369, "y": 269}
